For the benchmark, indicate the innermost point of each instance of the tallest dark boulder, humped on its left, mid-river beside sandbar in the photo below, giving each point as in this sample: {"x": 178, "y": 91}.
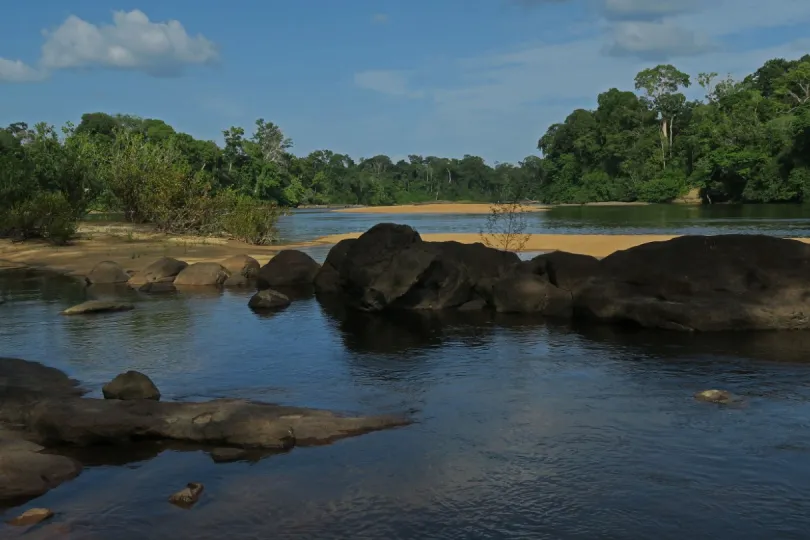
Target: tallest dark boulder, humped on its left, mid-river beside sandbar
{"x": 391, "y": 267}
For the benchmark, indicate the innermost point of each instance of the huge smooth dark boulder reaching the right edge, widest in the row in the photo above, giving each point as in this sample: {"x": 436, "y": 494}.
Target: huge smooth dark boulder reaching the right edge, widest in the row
{"x": 703, "y": 283}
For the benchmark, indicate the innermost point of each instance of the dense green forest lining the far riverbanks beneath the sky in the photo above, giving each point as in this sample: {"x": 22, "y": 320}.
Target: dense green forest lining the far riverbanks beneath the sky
{"x": 745, "y": 141}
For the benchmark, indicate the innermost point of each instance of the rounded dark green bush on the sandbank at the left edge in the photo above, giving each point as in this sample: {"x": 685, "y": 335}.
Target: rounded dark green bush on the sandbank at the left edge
{"x": 46, "y": 215}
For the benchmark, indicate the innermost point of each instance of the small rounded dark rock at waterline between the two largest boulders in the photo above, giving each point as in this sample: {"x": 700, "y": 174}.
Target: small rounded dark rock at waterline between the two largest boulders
{"x": 530, "y": 293}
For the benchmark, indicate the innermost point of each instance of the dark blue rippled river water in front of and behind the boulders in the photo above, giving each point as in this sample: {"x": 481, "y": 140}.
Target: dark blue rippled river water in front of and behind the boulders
{"x": 524, "y": 430}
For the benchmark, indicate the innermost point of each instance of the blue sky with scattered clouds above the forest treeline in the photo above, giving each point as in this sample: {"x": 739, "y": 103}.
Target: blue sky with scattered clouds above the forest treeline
{"x": 367, "y": 77}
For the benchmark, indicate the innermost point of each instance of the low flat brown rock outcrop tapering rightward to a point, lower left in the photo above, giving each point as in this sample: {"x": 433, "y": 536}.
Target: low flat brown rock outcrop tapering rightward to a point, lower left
{"x": 48, "y": 405}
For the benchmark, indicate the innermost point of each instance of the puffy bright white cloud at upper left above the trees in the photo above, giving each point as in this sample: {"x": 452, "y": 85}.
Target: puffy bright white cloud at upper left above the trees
{"x": 131, "y": 42}
